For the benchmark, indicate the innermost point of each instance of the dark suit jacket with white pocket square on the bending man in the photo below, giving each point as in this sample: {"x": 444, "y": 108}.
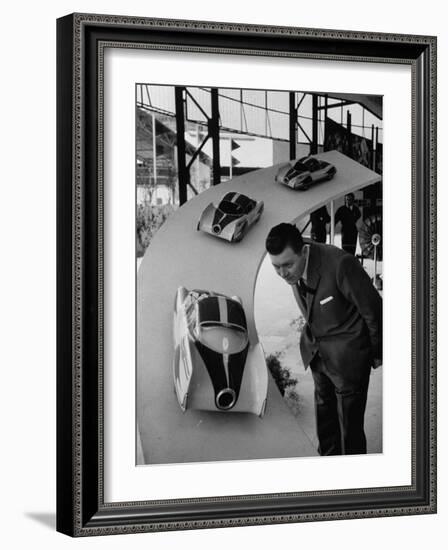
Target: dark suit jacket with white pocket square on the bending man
{"x": 343, "y": 316}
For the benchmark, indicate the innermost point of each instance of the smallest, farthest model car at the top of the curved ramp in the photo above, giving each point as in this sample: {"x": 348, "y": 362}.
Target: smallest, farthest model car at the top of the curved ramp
{"x": 305, "y": 172}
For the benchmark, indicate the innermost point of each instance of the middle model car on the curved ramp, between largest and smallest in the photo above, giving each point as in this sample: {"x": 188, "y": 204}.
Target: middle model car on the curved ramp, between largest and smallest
{"x": 232, "y": 218}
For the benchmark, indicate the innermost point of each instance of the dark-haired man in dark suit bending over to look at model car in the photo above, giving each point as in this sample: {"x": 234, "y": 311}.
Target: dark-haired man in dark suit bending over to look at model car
{"x": 342, "y": 337}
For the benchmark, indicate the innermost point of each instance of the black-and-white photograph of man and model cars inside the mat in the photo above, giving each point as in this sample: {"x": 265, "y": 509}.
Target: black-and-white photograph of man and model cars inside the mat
{"x": 259, "y": 273}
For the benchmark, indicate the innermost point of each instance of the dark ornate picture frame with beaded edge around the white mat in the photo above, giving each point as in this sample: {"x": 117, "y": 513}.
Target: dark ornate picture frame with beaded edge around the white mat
{"x": 81, "y": 507}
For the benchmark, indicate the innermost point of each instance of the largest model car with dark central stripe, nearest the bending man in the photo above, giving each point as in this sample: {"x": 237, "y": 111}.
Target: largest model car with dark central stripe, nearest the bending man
{"x": 215, "y": 368}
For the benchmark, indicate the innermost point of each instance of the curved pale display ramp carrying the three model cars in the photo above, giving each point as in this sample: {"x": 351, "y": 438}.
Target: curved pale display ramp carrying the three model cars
{"x": 179, "y": 255}
